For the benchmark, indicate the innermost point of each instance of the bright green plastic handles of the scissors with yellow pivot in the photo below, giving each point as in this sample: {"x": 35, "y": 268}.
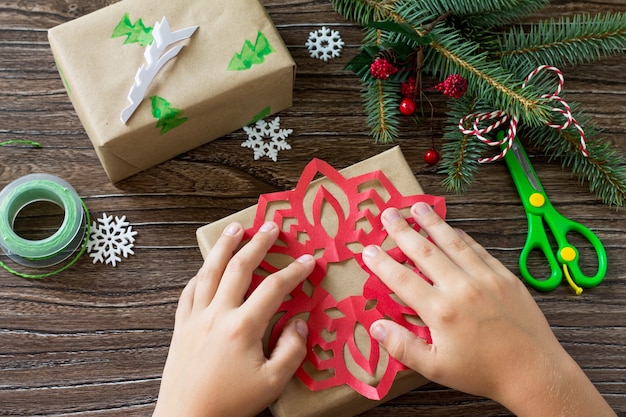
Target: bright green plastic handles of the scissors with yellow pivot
{"x": 567, "y": 257}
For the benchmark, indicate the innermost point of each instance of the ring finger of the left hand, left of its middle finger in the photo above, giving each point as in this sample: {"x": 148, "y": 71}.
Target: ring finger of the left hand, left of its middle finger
{"x": 209, "y": 276}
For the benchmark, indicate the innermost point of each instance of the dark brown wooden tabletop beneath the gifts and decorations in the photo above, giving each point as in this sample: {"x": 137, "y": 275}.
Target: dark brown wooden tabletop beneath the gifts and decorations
{"x": 93, "y": 340}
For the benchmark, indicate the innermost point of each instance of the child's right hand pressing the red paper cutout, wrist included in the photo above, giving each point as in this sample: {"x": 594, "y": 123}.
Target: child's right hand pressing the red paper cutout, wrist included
{"x": 489, "y": 337}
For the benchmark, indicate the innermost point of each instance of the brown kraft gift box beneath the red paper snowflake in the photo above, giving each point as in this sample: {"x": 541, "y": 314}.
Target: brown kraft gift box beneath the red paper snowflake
{"x": 342, "y": 401}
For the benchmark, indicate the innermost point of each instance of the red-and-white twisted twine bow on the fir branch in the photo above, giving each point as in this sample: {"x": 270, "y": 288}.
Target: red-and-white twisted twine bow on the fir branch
{"x": 502, "y": 117}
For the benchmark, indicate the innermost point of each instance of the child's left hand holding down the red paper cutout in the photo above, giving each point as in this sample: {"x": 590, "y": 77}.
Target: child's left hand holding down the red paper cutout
{"x": 216, "y": 365}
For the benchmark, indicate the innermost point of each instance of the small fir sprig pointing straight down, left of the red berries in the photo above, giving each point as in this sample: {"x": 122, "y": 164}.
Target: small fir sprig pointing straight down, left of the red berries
{"x": 381, "y": 105}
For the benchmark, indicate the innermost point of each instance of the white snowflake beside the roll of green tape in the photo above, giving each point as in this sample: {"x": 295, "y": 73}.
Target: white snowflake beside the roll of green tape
{"x": 109, "y": 239}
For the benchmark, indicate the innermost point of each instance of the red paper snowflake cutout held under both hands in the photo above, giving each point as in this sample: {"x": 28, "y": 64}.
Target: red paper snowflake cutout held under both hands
{"x": 337, "y": 319}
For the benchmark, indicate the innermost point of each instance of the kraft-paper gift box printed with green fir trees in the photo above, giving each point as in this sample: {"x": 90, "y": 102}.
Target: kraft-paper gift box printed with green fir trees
{"x": 232, "y": 70}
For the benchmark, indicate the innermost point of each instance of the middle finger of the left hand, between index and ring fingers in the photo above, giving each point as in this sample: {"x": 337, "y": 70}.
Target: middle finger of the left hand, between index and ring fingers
{"x": 238, "y": 273}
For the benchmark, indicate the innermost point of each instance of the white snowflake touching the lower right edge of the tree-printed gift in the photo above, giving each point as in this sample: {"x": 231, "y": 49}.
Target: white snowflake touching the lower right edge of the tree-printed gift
{"x": 267, "y": 139}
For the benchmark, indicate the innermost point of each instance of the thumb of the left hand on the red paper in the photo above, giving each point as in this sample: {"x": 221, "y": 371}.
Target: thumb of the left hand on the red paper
{"x": 288, "y": 354}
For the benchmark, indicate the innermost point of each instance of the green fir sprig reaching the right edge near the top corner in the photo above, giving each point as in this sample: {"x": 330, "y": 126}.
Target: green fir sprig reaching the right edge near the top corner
{"x": 567, "y": 41}
